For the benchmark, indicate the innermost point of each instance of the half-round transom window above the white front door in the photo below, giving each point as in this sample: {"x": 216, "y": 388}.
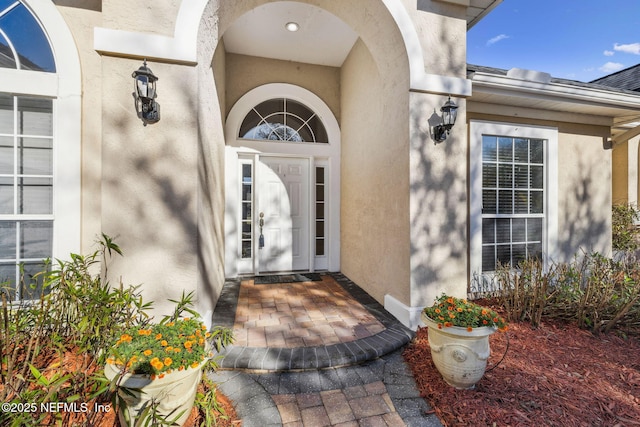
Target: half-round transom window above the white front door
{"x": 283, "y": 119}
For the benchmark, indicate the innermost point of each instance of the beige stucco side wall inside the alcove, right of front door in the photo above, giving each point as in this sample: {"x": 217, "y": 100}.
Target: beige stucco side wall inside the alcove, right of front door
{"x": 374, "y": 214}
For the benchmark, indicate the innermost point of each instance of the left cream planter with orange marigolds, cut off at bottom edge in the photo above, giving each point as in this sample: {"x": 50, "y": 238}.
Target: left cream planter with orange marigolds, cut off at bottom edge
{"x": 156, "y": 368}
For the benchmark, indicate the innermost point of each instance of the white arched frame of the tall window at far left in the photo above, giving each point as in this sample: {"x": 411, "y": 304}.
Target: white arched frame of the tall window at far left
{"x": 64, "y": 87}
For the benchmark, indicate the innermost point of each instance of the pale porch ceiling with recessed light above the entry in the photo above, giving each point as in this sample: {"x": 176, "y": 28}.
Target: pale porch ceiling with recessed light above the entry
{"x": 322, "y": 38}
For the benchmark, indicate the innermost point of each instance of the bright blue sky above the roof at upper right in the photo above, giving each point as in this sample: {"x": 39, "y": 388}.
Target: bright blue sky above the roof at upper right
{"x": 573, "y": 39}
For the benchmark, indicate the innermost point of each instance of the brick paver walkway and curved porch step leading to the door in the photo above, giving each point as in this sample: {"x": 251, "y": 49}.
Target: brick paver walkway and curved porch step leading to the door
{"x": 315, "y": 354}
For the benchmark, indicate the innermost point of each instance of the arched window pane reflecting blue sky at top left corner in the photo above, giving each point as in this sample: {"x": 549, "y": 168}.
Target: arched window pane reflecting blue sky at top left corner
{"x": 23, "y": 43}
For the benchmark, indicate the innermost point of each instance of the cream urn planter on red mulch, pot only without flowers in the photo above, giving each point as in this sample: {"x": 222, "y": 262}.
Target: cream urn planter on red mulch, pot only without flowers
{"x": 459, "y": 355}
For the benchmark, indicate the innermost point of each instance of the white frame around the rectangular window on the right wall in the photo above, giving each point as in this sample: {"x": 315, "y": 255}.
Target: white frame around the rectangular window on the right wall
{"x": 479, "y": 128}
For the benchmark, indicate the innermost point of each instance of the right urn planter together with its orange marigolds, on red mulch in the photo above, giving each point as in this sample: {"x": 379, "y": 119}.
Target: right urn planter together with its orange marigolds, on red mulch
{"x": 459, "y": 333}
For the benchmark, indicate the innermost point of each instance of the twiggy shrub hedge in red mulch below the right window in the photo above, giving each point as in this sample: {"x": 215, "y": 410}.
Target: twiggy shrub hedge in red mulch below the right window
{"x": 596, "y": 292}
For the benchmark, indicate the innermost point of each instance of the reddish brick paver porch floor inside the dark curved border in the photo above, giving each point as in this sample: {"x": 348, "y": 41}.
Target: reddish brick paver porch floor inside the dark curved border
{"x": 302, "y": 314}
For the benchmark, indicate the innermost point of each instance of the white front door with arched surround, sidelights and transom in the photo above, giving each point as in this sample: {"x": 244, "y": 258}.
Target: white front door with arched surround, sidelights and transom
{"x": 293, "y": 182}
